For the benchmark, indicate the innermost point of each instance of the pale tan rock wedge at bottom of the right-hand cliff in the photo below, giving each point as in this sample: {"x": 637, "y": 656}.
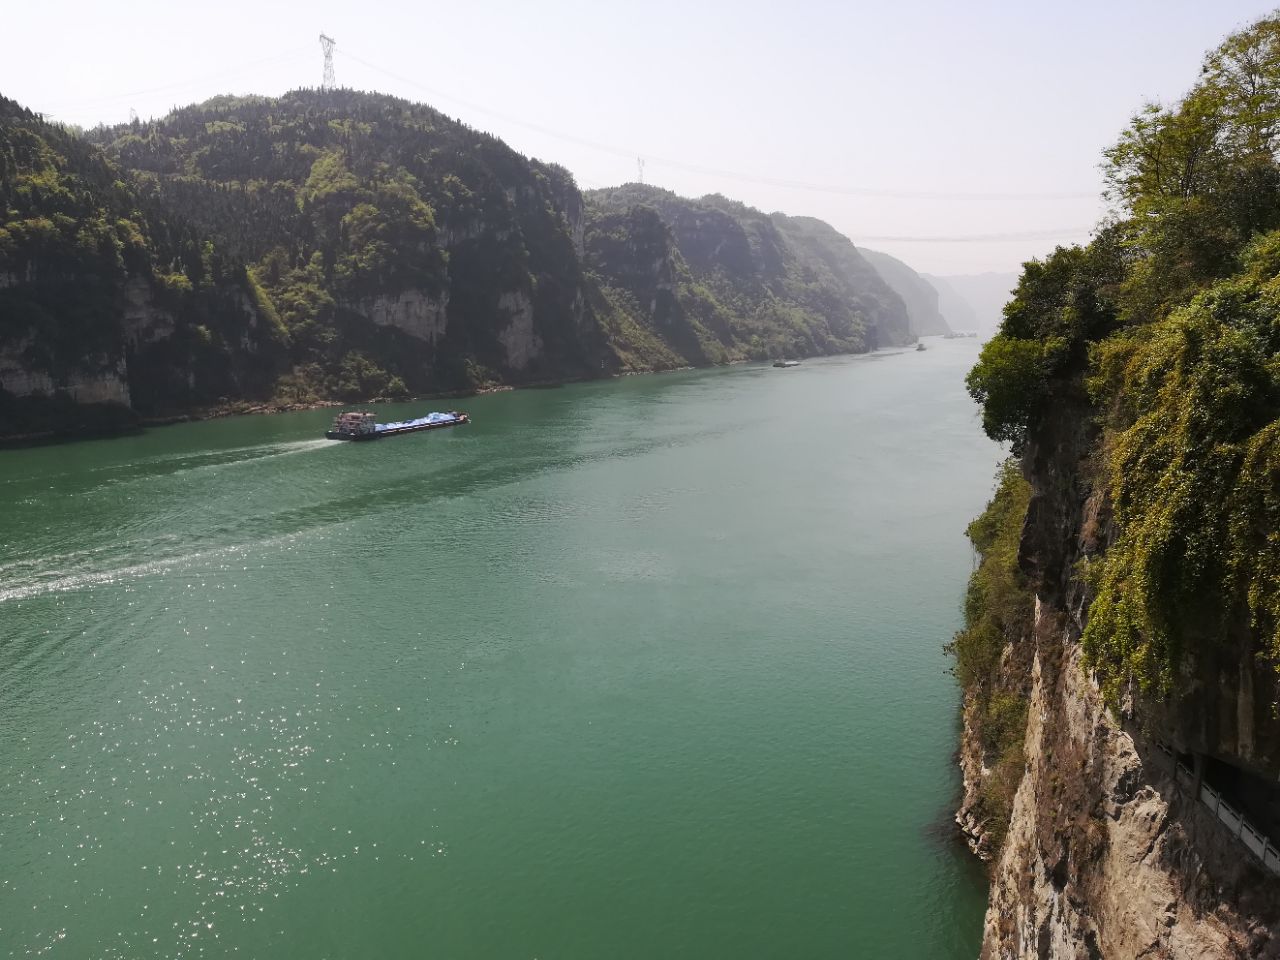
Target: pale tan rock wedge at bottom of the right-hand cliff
{"x": 1107, "y": 856}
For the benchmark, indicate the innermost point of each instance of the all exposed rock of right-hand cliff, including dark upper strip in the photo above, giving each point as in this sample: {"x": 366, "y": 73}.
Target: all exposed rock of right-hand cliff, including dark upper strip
{"x": 1109, "y": 853}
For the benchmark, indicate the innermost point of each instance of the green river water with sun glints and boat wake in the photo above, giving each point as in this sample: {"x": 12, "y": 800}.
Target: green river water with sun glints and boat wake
{"x": 641, "y": 669}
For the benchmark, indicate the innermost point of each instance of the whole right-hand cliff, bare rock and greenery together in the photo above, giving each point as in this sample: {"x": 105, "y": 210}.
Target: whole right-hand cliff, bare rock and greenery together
{"x": 1127, "y": 611}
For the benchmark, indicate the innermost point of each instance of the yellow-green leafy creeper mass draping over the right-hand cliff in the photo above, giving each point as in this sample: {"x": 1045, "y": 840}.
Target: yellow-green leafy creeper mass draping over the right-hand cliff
{"x": 1194, "y": 479}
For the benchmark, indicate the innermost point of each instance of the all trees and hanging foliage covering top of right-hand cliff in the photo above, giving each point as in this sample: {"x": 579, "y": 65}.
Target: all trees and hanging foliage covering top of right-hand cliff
{"x": 1171, "y": 316}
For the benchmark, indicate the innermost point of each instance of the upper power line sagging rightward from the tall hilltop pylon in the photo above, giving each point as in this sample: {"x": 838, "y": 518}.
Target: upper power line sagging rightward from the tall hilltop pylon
{"x": 712, "y": 172}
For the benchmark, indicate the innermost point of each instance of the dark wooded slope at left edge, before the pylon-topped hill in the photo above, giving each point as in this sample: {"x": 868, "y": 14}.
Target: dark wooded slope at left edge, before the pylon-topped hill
{"x": 107, "y": 298}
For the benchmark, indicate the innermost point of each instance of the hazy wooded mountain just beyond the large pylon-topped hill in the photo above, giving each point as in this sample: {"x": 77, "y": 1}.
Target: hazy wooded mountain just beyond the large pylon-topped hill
{"x": 714, "y": 280}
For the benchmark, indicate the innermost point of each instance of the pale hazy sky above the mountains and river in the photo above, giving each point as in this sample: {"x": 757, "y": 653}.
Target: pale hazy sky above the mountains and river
{"x": 899, "y": 122}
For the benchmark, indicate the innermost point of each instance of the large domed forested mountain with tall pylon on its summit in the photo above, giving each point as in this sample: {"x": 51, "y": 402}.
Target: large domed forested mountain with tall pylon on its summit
{"x": 405, "y": 252}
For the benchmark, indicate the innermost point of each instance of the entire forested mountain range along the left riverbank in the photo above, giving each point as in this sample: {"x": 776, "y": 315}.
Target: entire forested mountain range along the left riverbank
{"x": 344, "y": 245}
